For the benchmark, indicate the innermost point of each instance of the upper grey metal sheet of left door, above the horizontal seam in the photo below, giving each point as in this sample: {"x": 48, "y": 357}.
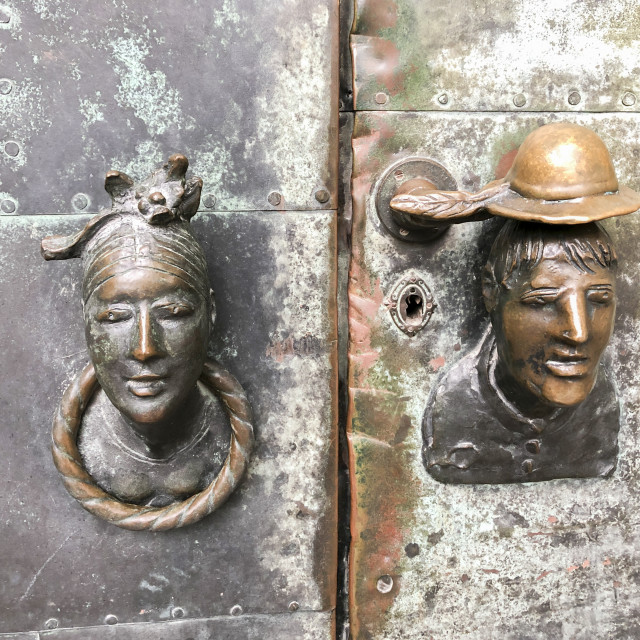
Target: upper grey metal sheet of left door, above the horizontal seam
{"x": 90, "y": 86}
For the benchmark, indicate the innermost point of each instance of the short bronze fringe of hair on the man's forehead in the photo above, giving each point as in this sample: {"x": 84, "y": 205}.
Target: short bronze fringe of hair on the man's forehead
{"x": 520, "y": 246}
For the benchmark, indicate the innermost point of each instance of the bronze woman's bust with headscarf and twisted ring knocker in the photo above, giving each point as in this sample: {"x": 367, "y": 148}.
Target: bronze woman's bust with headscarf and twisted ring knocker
{"x": 154, "y": 448}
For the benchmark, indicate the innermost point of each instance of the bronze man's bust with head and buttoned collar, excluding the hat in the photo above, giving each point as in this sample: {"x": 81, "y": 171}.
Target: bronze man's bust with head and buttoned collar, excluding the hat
{"x": 530, "y": 402}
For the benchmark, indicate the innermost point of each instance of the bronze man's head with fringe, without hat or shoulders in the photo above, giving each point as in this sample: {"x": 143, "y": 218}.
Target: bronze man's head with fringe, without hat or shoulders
{"x": 550, "y": 293}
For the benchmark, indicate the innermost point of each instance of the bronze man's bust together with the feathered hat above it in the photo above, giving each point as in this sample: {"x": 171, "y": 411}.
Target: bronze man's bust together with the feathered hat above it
{"x": 532, "y": 400}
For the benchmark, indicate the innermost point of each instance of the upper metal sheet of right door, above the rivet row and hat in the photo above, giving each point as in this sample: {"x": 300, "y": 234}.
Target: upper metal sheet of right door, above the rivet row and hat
{"x": 496, "y": 55}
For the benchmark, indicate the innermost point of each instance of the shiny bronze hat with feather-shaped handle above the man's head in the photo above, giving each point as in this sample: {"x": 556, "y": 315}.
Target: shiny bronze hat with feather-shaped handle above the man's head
{"x": 562, "y": 174}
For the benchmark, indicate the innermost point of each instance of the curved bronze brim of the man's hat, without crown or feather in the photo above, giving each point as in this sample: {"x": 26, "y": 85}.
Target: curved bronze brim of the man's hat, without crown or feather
{"x": 511, "y": 204}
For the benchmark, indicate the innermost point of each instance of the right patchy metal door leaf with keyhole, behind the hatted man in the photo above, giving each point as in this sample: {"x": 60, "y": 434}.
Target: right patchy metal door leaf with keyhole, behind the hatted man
{"x": 462, "y": 84}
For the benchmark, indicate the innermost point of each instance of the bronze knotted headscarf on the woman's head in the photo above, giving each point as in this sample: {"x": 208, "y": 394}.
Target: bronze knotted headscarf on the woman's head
{"x": 147, "y": 226}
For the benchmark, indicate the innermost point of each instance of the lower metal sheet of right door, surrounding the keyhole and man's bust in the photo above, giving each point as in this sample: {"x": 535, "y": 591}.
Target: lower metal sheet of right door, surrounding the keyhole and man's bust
{"x": 542, "y": 561}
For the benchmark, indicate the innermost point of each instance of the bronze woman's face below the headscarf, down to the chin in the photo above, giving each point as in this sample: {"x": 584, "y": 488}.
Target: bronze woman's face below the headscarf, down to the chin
{"x": 147, "y": 332}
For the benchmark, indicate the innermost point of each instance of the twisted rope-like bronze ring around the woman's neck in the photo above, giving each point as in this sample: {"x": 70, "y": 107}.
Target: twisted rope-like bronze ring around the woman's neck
{"x": 84, "y": 489}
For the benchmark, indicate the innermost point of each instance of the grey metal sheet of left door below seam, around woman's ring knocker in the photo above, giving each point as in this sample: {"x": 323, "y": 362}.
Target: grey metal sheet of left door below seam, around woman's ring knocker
{"x": 274, "y": 541}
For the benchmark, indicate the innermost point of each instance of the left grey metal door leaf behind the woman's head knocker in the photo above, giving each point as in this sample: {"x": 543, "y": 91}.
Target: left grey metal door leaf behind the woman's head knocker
{"x": 247, "y": 90}
